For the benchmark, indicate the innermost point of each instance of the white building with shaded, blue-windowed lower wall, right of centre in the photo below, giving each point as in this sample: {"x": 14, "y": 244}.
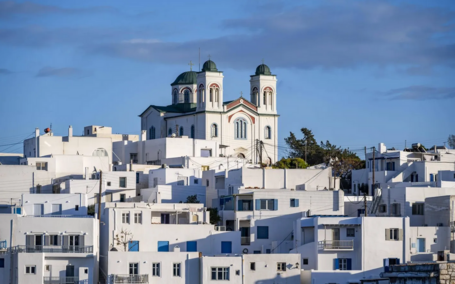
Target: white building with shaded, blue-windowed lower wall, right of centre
{"x": 265, "y": 217}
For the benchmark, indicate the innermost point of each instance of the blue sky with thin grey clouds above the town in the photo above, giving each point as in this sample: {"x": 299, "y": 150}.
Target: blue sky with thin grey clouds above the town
{"x": 355, "y": 72}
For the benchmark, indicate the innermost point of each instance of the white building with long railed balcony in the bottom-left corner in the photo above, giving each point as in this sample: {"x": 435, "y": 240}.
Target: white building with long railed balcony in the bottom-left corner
{"x": 46, "y": 244}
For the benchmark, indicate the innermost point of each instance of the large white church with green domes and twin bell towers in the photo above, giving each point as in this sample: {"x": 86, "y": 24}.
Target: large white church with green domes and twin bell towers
{"x": 243, "y": 128}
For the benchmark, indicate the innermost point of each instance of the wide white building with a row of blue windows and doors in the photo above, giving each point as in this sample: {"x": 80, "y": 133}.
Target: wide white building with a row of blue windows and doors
{"x": 151, "y": 228}
